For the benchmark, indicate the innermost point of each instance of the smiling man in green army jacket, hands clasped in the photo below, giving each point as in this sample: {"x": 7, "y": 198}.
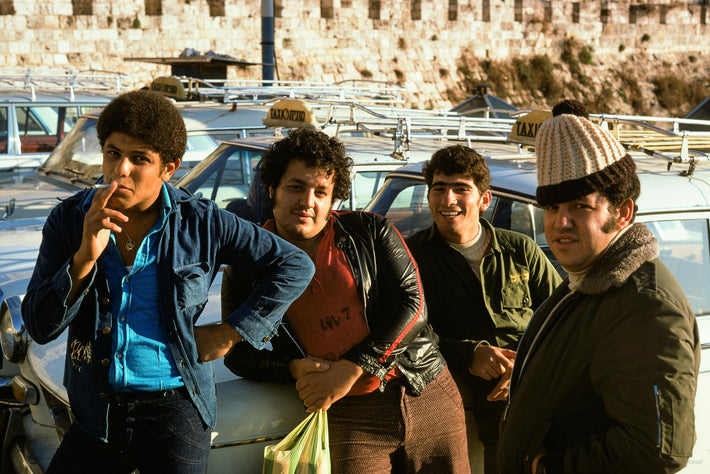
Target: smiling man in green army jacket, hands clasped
{"x": 481, "y": 285}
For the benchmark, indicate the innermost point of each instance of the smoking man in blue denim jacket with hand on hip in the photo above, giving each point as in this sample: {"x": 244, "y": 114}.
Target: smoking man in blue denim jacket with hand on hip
{"x": 127, "y": 267}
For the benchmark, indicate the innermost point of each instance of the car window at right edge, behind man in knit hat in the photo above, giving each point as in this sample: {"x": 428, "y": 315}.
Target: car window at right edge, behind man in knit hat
{"x": 683, "y": 247}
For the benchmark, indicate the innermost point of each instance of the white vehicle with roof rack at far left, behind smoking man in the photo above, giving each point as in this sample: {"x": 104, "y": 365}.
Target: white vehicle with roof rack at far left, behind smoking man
{"x": 39, "y": 107}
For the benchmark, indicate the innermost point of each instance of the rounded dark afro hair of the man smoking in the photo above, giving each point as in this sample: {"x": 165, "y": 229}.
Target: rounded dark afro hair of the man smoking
{"x": 148, "y": 116}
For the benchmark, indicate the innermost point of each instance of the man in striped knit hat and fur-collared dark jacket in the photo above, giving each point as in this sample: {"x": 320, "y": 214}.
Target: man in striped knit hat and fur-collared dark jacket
{"x": 605, "y": 376}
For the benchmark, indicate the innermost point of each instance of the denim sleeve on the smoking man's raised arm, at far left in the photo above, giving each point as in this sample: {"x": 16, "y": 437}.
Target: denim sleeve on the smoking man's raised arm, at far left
{"x": 44, "y": 307}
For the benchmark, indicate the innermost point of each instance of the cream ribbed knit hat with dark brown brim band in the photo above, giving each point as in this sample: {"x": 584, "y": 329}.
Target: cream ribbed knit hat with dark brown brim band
{"x": 576, "y": 157}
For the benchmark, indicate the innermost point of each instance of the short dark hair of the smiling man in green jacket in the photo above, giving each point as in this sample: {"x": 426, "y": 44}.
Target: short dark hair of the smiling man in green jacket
{"x": 458, "y": 159}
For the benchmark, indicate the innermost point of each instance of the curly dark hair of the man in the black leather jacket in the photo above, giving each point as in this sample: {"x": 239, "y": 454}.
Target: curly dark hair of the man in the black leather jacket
{"x": 316, "y": 150}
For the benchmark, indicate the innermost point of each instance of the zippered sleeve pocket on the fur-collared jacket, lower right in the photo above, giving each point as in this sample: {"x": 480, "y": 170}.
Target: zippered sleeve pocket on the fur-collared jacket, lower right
{"x": 675, "y": 423}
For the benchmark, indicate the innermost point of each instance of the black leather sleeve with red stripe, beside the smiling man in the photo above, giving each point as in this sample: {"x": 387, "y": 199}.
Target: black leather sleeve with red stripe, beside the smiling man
{"x": 400, "y": 315}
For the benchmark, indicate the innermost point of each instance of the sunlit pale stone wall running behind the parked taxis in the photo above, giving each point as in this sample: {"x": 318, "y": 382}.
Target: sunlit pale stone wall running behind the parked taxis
{"x": 419, "y": 43}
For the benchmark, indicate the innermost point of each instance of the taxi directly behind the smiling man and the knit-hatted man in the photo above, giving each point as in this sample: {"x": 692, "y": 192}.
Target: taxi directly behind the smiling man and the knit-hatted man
{"x": 674, "y": 204}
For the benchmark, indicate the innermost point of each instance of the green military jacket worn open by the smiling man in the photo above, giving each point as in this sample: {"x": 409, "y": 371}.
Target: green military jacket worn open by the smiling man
{"x": 517, "y": 278}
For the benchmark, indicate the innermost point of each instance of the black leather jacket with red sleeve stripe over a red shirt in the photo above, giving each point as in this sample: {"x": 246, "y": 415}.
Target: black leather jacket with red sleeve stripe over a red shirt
{"x": 389, "y": 288}
